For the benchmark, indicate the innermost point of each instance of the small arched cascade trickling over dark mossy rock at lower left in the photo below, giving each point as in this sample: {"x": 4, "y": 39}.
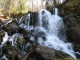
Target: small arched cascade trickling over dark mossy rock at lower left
{"x": 18, "y": 45}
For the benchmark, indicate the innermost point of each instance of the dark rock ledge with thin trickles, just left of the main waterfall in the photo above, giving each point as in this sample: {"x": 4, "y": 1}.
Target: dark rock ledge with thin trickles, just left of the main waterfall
{"x": 33, "y": 18}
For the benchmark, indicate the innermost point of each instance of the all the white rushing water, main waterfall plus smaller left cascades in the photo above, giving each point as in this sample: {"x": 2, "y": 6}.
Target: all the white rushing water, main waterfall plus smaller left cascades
{"x": 51, "y": 27}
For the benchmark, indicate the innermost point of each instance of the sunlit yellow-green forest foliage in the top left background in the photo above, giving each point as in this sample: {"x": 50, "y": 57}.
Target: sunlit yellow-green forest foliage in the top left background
{"x": 8, "y": 7}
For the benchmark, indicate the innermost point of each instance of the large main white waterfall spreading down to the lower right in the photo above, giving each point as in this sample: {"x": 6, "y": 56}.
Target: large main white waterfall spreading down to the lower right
{"x": 53, "y": 27}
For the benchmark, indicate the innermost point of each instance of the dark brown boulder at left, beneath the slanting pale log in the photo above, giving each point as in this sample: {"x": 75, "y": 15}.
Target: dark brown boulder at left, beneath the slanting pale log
{"x": 11, "y": 27}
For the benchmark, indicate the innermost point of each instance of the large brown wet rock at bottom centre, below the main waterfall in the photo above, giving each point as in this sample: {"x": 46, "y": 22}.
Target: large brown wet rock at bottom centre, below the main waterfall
{"x": 46, "y": 53}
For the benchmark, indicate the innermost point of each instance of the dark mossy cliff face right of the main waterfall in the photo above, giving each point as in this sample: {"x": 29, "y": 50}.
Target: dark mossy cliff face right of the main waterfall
{"x": 70, "y": 12}
